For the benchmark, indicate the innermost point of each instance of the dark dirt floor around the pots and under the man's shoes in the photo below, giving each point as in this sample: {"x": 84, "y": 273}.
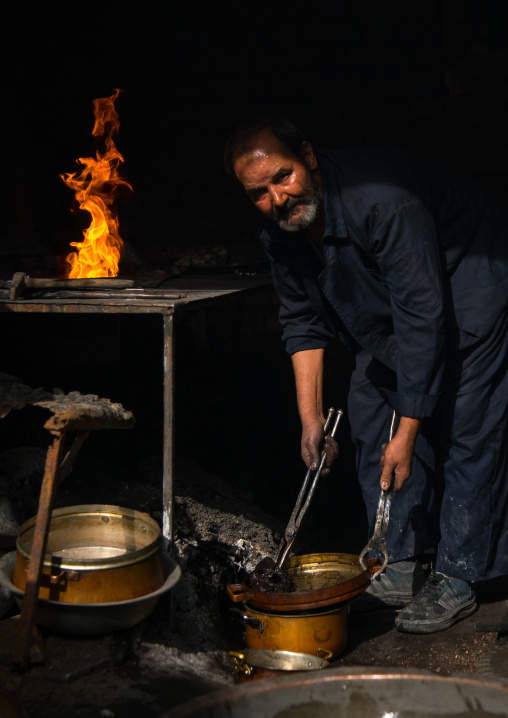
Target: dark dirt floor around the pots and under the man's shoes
{"x": 134, "y": 672}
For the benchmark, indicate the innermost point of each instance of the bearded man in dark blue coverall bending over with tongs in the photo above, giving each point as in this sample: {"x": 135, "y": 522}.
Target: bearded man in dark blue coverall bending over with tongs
{"x": 408, "y": 263}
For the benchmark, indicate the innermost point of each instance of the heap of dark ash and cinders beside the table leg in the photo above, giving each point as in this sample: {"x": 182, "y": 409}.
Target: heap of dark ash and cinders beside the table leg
{"x": 220, "y": 537}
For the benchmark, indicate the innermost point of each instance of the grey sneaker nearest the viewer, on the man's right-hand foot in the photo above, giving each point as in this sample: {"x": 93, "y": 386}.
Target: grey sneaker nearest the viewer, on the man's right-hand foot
{"x": 442, "y": 602}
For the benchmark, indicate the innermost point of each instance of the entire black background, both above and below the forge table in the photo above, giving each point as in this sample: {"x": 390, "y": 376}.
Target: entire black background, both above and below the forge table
{"x": 427, "y": 75}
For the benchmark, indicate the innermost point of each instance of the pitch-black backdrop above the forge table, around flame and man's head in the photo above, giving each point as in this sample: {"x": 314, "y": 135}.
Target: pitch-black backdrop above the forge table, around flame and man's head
{"x": 429, "y": 75}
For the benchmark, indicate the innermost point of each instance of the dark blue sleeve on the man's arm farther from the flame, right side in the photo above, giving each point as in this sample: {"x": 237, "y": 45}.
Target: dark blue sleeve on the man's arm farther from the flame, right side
{"x": 406, "y": 249}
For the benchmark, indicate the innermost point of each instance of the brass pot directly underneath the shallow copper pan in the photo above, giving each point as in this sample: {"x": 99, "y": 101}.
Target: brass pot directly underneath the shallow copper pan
{"x": 312, "y": 632}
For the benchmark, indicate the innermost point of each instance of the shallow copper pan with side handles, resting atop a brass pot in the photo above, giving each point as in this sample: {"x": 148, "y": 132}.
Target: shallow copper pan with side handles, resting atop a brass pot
{"x": 321, "y": 579}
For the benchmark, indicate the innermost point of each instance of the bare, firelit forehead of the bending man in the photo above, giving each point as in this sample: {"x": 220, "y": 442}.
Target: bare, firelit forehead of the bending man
{"x": 262, "y": 155}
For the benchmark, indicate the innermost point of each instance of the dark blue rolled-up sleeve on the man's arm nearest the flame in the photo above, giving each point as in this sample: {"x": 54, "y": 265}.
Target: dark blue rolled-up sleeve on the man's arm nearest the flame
{"x": 302, "y": 328}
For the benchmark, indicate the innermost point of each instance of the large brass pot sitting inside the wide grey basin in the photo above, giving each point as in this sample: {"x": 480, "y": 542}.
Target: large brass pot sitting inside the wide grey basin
{"x": 95, "y": 554}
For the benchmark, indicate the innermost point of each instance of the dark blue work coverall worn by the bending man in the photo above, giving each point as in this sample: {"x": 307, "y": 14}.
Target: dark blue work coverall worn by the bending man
{"x": 414, "y": 278}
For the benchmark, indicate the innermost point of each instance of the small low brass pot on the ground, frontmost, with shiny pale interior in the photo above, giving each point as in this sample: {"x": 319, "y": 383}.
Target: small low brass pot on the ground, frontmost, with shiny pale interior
{"x": 252, "y": 664}
